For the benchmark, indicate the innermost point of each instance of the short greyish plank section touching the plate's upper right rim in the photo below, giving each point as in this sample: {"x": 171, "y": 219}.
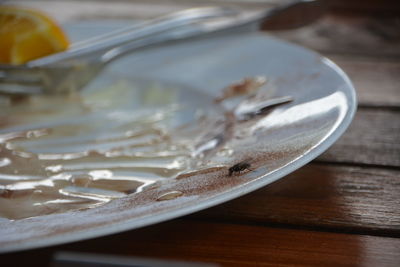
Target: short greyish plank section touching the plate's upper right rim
{"x": 377, "y": 81}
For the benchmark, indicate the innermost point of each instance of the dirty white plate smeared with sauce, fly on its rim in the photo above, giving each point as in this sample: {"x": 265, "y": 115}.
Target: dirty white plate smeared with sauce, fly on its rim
{"x": 163, "y": 133}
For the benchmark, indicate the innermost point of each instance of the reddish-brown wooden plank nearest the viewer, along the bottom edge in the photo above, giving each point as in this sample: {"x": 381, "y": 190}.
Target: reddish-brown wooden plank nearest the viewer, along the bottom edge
{"x": 235, "y": 245}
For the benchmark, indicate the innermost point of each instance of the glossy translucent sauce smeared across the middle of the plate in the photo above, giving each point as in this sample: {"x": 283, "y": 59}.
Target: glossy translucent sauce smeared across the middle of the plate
{"x": 61, "y": 153}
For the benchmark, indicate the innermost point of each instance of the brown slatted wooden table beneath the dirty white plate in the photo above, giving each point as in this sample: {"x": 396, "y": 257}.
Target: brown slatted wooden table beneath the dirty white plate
{"x": 341, "y": 209}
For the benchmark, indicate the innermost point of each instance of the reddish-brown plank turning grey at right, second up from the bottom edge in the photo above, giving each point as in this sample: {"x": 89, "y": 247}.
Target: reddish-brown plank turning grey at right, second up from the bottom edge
{"x": 360, "y": 199}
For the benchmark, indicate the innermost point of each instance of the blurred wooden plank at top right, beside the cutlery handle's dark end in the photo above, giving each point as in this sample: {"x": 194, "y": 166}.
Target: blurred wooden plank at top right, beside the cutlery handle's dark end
{"x": 349, "y": 35}
